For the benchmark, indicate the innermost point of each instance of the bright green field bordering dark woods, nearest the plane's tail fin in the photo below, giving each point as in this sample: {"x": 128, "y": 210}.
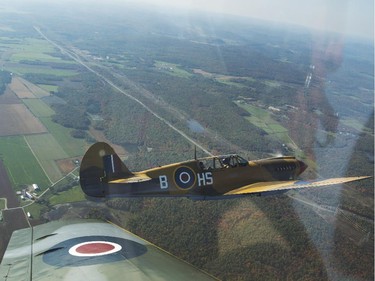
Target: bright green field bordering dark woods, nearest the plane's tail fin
{"x": 73, "y": 147}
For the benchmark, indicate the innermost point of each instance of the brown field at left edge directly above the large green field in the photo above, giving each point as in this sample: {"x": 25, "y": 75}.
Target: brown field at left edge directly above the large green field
{"x": 16, "y": 119}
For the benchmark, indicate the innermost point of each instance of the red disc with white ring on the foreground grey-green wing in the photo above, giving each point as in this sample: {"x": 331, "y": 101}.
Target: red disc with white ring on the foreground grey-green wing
{"x": 94, "y": 248}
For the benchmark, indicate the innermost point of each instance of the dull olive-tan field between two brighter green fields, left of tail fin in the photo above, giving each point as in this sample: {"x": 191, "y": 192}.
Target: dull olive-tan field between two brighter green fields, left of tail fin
{"x": 47, "y": 150}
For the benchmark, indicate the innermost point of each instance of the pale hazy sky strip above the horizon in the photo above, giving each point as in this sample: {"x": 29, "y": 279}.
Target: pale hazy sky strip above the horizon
{"x": 348, "y": 17}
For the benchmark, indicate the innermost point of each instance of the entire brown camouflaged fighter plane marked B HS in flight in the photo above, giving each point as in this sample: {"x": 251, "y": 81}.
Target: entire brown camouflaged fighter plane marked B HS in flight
{"x": 104, "y": 175}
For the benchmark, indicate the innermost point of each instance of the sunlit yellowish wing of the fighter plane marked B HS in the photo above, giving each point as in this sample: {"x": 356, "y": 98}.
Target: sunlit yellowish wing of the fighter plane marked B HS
{"x": 274, "y": 186}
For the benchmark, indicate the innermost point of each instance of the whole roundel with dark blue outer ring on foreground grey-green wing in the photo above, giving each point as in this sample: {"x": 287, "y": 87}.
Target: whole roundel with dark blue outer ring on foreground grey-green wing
{"x": 90, "y": 250}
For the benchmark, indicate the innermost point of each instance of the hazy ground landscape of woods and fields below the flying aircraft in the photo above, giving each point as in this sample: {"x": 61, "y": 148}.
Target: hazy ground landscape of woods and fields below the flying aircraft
{"x": 155, "y": 84}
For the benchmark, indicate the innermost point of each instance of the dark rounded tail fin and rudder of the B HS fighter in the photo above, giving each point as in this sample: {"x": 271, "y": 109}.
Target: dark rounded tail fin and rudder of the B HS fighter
{"x": 100, "y": 165}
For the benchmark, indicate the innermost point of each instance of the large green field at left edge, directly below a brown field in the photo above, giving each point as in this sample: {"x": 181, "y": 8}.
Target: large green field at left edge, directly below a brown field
{"x": 22, "y": 167}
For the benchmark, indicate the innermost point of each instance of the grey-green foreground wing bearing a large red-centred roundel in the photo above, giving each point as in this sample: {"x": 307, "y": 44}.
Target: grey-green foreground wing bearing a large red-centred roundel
{"x": 89, "y": 250}
